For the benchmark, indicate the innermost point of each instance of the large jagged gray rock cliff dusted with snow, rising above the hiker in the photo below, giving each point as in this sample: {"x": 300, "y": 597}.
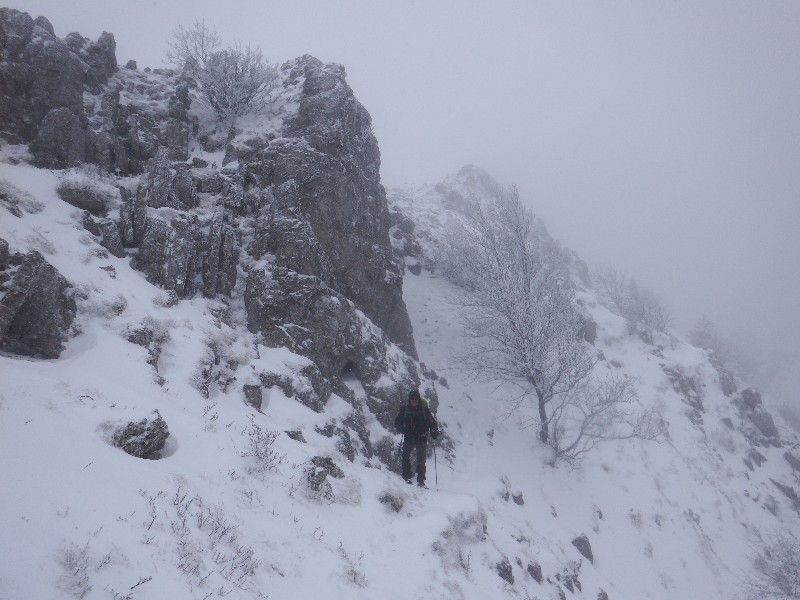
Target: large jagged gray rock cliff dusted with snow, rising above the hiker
{"x": 280, "y": 218}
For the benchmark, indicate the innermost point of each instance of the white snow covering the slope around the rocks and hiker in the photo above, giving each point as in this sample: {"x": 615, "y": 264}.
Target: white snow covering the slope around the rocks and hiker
{"x": 81, "y": 518}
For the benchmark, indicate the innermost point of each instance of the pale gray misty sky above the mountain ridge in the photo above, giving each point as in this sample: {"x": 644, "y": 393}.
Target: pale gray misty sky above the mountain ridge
{"x": 662, "y": 138}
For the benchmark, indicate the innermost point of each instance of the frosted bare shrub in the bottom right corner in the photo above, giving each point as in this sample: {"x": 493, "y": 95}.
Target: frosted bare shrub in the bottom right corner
{"x": 777, "y": 571}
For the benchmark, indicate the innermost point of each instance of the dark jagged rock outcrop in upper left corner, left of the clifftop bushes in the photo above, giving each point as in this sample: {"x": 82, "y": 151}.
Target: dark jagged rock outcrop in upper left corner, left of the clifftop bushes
{"x": 42, "y": 74}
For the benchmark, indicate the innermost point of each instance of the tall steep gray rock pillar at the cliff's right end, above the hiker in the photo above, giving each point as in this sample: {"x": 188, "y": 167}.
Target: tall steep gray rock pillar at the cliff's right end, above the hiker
{"x": 325, "y": 173}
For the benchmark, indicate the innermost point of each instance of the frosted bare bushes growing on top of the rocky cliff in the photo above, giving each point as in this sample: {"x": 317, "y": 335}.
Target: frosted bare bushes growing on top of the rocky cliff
{"x": 233, "y": 81}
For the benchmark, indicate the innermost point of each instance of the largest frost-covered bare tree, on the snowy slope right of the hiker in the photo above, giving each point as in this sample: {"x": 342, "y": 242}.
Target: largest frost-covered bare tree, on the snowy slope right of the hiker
{"x": 519, "y": 314}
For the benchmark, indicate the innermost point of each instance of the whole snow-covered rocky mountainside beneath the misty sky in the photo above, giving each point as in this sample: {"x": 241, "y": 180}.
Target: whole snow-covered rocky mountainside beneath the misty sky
{"x": 278, "y": 478}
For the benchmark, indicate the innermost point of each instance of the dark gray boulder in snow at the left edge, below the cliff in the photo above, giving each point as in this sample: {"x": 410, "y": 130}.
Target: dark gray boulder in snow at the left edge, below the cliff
{"x": 36, "y": 309}
